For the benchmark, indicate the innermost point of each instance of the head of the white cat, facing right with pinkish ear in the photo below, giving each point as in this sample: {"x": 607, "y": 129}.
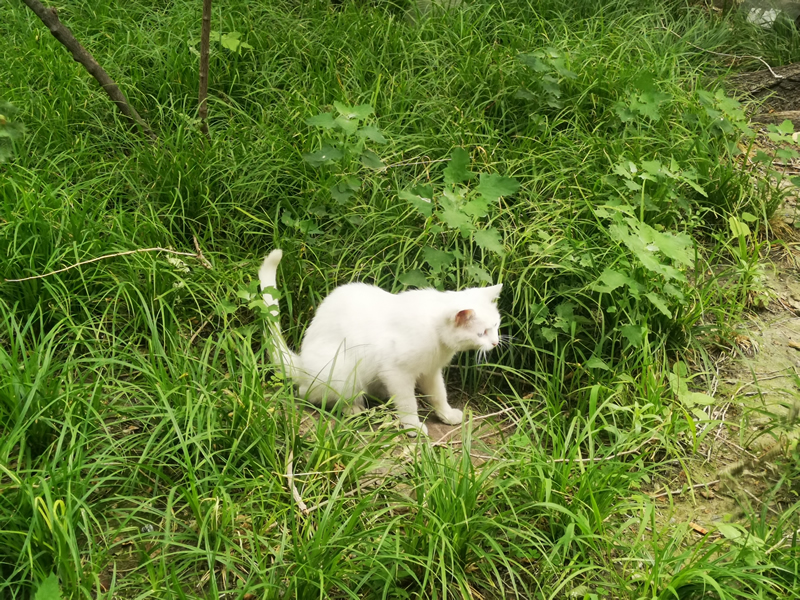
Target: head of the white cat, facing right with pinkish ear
{"x": 476, "y": 323}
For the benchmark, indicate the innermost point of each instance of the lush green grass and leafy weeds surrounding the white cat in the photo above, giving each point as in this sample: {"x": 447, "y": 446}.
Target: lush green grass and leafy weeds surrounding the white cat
{"x": 585, "y": 154}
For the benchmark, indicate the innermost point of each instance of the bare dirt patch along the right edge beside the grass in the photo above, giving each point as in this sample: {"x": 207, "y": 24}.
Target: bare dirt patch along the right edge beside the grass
{"x": 753, "y": 421}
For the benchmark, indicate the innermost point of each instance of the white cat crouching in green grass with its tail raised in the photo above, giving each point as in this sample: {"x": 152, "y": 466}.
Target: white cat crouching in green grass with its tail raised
{"x": 366, "y": 340}
